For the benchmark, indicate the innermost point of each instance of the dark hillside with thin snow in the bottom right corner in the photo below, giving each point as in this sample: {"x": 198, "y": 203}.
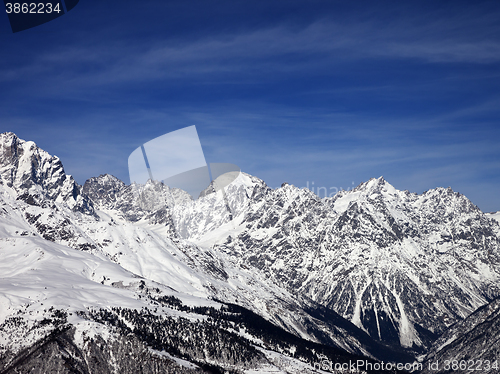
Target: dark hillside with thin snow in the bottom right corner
{"x": 469, "y": 345}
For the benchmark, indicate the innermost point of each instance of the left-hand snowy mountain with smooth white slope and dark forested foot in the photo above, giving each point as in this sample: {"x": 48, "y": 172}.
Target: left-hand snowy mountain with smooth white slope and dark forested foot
{"x": 99, "y": 280}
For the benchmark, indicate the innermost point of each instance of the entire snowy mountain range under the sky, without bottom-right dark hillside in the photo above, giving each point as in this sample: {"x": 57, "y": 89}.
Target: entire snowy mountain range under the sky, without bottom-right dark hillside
{"x": 372, "y": 272}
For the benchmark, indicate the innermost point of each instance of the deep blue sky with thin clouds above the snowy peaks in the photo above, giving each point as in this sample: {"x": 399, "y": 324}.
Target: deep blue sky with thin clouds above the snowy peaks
{"x": 330, "y": 92}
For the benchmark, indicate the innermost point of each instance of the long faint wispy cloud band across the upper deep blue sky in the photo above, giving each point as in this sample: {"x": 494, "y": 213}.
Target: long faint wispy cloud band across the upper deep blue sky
{"x": 273, "y": 50}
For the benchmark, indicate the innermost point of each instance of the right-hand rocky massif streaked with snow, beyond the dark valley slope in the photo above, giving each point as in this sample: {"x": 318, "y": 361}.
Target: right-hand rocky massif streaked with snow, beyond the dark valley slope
{"x": 401, "y": 266}
